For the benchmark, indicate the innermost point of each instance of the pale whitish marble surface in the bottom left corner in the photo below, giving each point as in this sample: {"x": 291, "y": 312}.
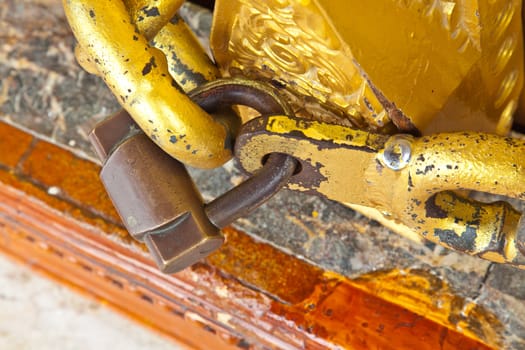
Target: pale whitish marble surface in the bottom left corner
{"x": 36, "y": 313}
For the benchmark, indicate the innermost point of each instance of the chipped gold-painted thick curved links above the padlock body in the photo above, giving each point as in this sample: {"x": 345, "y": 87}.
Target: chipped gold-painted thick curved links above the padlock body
{"x": 114, "y": 39}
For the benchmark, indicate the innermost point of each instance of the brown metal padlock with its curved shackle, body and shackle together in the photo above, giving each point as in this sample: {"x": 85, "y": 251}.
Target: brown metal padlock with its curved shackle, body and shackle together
{"x": 156, "y": 197}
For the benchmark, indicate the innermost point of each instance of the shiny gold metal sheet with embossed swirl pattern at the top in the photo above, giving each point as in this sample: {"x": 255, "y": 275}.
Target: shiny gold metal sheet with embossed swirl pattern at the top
{"x": 430, "y": 64}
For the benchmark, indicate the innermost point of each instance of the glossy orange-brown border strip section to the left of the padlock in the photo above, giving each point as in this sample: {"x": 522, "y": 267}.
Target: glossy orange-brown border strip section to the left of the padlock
{"x": 35, "y": 167}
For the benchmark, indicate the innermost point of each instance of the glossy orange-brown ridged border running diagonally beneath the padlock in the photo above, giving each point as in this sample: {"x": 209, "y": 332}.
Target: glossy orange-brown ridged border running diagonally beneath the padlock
{"x": 247, "y": 295}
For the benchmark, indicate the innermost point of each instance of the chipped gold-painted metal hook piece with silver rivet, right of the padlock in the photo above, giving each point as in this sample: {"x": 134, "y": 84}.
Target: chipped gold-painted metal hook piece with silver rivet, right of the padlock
{"x": 410, "y": 181}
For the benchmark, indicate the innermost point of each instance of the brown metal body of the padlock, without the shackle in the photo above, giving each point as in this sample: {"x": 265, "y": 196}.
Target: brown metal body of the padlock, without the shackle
{"x": 154, "y": 195}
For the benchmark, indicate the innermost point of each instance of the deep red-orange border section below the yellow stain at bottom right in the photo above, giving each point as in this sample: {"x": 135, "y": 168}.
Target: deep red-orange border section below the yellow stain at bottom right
{"x": 349, "y": 317}
